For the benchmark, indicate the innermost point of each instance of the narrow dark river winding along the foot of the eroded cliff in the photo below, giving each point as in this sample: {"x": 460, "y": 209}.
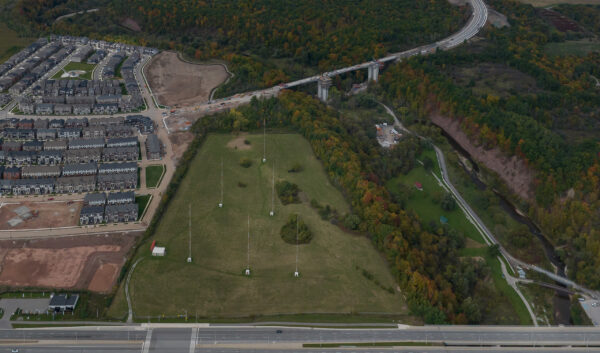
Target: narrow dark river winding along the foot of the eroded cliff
{"x": 562, "y": 304}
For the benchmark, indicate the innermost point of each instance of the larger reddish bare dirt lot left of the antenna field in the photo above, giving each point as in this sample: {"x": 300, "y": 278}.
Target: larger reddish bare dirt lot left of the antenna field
{"x": 84, "y": 262}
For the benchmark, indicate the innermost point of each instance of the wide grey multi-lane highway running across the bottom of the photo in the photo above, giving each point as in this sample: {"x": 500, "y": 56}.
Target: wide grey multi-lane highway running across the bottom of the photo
{"x": 451, "y": 335}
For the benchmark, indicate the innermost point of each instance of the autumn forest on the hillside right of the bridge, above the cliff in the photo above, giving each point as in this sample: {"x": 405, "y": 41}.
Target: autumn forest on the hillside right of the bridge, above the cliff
{"x": 554, "y": 126}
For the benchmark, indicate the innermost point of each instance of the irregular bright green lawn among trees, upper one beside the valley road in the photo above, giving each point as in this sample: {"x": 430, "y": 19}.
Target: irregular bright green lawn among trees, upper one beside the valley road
{"x": 422, "y": 203}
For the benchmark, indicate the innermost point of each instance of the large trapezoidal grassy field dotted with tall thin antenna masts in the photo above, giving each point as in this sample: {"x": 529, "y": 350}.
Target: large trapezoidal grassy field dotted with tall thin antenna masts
{"x": 214, "y": 284}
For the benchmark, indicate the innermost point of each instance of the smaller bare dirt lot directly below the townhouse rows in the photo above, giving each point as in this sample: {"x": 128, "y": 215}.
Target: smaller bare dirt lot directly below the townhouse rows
{"x": 44, "y": 214}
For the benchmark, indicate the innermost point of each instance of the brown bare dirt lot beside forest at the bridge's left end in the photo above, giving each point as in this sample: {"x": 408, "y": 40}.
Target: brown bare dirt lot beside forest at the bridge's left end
{"x": 178, "y": 83}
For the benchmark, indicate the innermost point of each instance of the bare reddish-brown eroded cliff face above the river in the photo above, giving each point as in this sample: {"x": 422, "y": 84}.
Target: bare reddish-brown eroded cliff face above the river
{"x": 513, "y": 170}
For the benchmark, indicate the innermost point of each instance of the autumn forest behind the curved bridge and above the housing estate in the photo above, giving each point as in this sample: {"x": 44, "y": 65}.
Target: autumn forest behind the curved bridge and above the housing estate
{"x": 266, "y": 42}
